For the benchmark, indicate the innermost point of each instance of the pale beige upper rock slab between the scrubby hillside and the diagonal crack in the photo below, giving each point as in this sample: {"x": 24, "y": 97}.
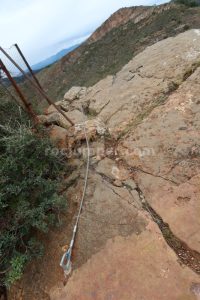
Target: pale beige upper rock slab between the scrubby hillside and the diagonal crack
{"x": 144, "y": 82}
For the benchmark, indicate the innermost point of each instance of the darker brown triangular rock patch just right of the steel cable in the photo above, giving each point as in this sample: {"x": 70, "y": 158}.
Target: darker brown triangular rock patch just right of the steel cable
{"x": 108, "y": 211}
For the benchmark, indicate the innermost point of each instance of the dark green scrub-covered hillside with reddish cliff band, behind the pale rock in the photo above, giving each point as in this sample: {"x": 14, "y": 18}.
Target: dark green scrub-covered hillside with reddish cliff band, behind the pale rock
{"x": 110, "y": 48}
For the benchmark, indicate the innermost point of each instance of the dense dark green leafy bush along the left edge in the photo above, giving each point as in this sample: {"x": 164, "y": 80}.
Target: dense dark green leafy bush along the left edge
{"x": 28, "y": 199}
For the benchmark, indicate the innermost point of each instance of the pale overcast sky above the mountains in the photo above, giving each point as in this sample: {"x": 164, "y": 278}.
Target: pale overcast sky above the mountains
{"x": 44, "y": 27}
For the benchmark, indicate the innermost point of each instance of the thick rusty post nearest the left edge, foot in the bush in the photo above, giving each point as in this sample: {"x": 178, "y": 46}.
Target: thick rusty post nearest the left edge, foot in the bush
{"x": 24, "y": 100}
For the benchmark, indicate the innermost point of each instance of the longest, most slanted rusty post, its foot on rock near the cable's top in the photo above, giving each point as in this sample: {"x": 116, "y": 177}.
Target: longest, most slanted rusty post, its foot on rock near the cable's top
{"x": 36, "y": 86}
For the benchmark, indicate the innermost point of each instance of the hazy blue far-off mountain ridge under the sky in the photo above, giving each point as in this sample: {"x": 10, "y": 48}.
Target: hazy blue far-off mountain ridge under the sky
{"x": 53, "y": 59}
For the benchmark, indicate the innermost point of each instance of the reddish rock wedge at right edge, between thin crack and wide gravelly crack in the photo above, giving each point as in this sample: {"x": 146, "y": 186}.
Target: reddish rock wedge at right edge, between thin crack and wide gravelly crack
{"x": 179, "y": 206}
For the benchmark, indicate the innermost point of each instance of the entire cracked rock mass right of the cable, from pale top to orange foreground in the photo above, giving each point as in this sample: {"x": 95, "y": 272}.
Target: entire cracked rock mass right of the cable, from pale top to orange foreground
{"x": 142, "y": 205}
